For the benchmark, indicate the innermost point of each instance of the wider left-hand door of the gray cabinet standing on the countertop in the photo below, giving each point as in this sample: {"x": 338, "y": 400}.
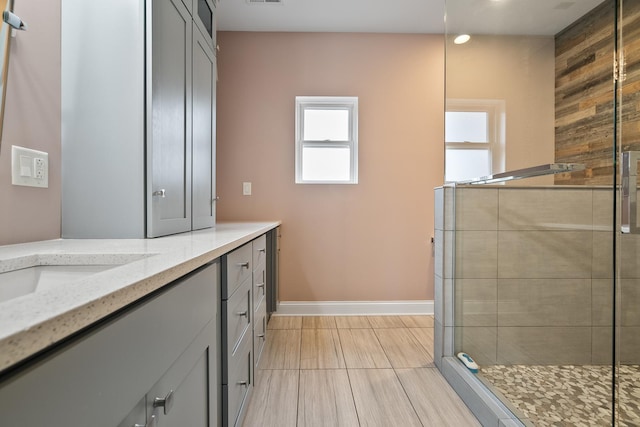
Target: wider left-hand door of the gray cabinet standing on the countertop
{"x": 168, "y": 118}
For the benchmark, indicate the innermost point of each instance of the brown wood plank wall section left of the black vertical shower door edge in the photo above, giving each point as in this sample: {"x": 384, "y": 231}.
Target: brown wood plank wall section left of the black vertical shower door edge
{"x": 584, "y": 97}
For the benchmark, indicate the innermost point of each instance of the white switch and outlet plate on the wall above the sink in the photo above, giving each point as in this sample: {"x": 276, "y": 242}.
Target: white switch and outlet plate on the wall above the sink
{"x": 29, "y": 168}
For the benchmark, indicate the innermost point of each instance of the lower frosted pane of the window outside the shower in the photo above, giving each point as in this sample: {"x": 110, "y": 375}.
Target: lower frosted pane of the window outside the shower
{"x": 326, "y": 163}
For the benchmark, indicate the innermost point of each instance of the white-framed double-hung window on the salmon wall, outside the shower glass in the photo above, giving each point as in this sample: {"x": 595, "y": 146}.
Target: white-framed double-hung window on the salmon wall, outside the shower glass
{"x": 326, "y": 140}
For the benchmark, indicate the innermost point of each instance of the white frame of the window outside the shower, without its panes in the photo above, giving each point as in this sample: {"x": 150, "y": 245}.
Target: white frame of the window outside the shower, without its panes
{"x": 327, "y": 102}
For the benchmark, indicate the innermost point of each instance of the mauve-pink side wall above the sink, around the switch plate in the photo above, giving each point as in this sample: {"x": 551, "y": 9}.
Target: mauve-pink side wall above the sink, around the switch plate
{"x": 32, "y": 120}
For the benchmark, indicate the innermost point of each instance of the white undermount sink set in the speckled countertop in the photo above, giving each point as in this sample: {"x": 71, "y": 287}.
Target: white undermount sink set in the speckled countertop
{"x": 44, "y": 272}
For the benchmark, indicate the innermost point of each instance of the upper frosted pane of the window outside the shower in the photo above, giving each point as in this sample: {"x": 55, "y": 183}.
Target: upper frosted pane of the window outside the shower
{"x": 326, "y": 125}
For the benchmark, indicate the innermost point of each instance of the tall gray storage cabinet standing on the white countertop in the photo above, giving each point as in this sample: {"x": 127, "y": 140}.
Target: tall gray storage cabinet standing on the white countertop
{"x": 138, "y": 117}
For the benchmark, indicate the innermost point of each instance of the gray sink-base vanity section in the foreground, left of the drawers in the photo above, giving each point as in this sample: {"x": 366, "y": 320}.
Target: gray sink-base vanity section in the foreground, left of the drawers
{"x": 154, "y": 364}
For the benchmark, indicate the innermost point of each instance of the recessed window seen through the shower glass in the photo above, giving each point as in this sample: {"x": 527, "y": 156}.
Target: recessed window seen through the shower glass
{"x": 474, "y": 138}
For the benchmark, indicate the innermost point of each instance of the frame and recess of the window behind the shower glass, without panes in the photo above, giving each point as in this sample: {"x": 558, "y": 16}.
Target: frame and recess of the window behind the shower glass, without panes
{"x": 495, "y": 109}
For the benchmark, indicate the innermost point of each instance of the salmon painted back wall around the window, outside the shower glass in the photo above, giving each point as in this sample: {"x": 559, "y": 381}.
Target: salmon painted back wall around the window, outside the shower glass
{"x": 364, "y": 242}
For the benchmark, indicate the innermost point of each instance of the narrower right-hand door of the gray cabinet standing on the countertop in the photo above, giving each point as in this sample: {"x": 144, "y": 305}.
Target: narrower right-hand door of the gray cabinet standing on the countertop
{"x": 204, "y": 132}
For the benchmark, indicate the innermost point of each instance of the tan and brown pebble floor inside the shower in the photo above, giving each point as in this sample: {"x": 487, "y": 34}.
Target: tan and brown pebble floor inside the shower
{"x": 568, "y": 395}
